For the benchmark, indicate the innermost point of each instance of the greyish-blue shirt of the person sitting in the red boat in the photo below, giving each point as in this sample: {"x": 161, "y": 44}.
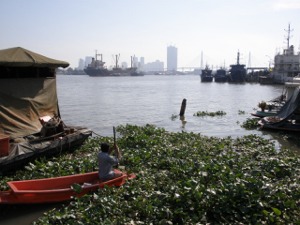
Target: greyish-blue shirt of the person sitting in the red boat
{"x": 106, "y": 163}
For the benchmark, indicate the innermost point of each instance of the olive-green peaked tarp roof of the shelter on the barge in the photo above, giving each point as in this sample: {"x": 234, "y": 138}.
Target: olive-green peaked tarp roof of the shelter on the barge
{"x": 20, "y": 57}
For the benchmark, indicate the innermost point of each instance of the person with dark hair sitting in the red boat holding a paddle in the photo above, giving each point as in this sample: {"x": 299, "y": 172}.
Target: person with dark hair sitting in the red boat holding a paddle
{"x": 107, "y": 161}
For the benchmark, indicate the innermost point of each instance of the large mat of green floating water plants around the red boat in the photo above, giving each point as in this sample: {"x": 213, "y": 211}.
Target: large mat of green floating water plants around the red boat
{"x": 182, "y": 178}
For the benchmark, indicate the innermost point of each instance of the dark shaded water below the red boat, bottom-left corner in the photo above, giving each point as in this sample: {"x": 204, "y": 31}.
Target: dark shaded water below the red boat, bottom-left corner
{"x": 23, "y": 214}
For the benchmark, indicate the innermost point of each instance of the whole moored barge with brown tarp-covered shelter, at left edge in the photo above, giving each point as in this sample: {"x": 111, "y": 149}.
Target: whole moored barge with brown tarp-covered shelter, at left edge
{"x": 30, "y": 122}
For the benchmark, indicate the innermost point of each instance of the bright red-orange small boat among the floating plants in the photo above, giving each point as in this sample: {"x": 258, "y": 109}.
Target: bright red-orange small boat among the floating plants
{"x": 57, "y": 189}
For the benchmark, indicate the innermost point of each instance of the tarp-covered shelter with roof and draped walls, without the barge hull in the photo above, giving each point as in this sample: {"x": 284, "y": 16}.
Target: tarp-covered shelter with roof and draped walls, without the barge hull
{"x": 27, "y": 91}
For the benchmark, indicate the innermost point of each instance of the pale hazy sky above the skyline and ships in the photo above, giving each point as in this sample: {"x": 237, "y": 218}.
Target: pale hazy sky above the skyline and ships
{"x": 72, "y": 29}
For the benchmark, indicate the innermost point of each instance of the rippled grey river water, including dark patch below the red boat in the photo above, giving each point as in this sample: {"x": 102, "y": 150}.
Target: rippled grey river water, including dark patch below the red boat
{"x": 100, "y": 103}
